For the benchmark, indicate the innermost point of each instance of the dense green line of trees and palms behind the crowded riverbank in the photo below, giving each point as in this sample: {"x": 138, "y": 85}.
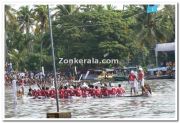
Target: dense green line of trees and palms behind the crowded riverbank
{"x": 85, "y": 31}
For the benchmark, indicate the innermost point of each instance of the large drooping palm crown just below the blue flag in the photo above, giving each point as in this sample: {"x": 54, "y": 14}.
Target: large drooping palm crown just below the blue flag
{"x": 148, "y": 28}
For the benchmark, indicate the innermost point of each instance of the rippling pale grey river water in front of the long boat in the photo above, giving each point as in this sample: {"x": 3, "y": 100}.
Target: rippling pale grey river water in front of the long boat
{"x": 160, "y": 105}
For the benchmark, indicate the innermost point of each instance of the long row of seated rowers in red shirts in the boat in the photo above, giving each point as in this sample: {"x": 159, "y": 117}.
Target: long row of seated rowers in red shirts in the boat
{"x": 65, "y": 92}
